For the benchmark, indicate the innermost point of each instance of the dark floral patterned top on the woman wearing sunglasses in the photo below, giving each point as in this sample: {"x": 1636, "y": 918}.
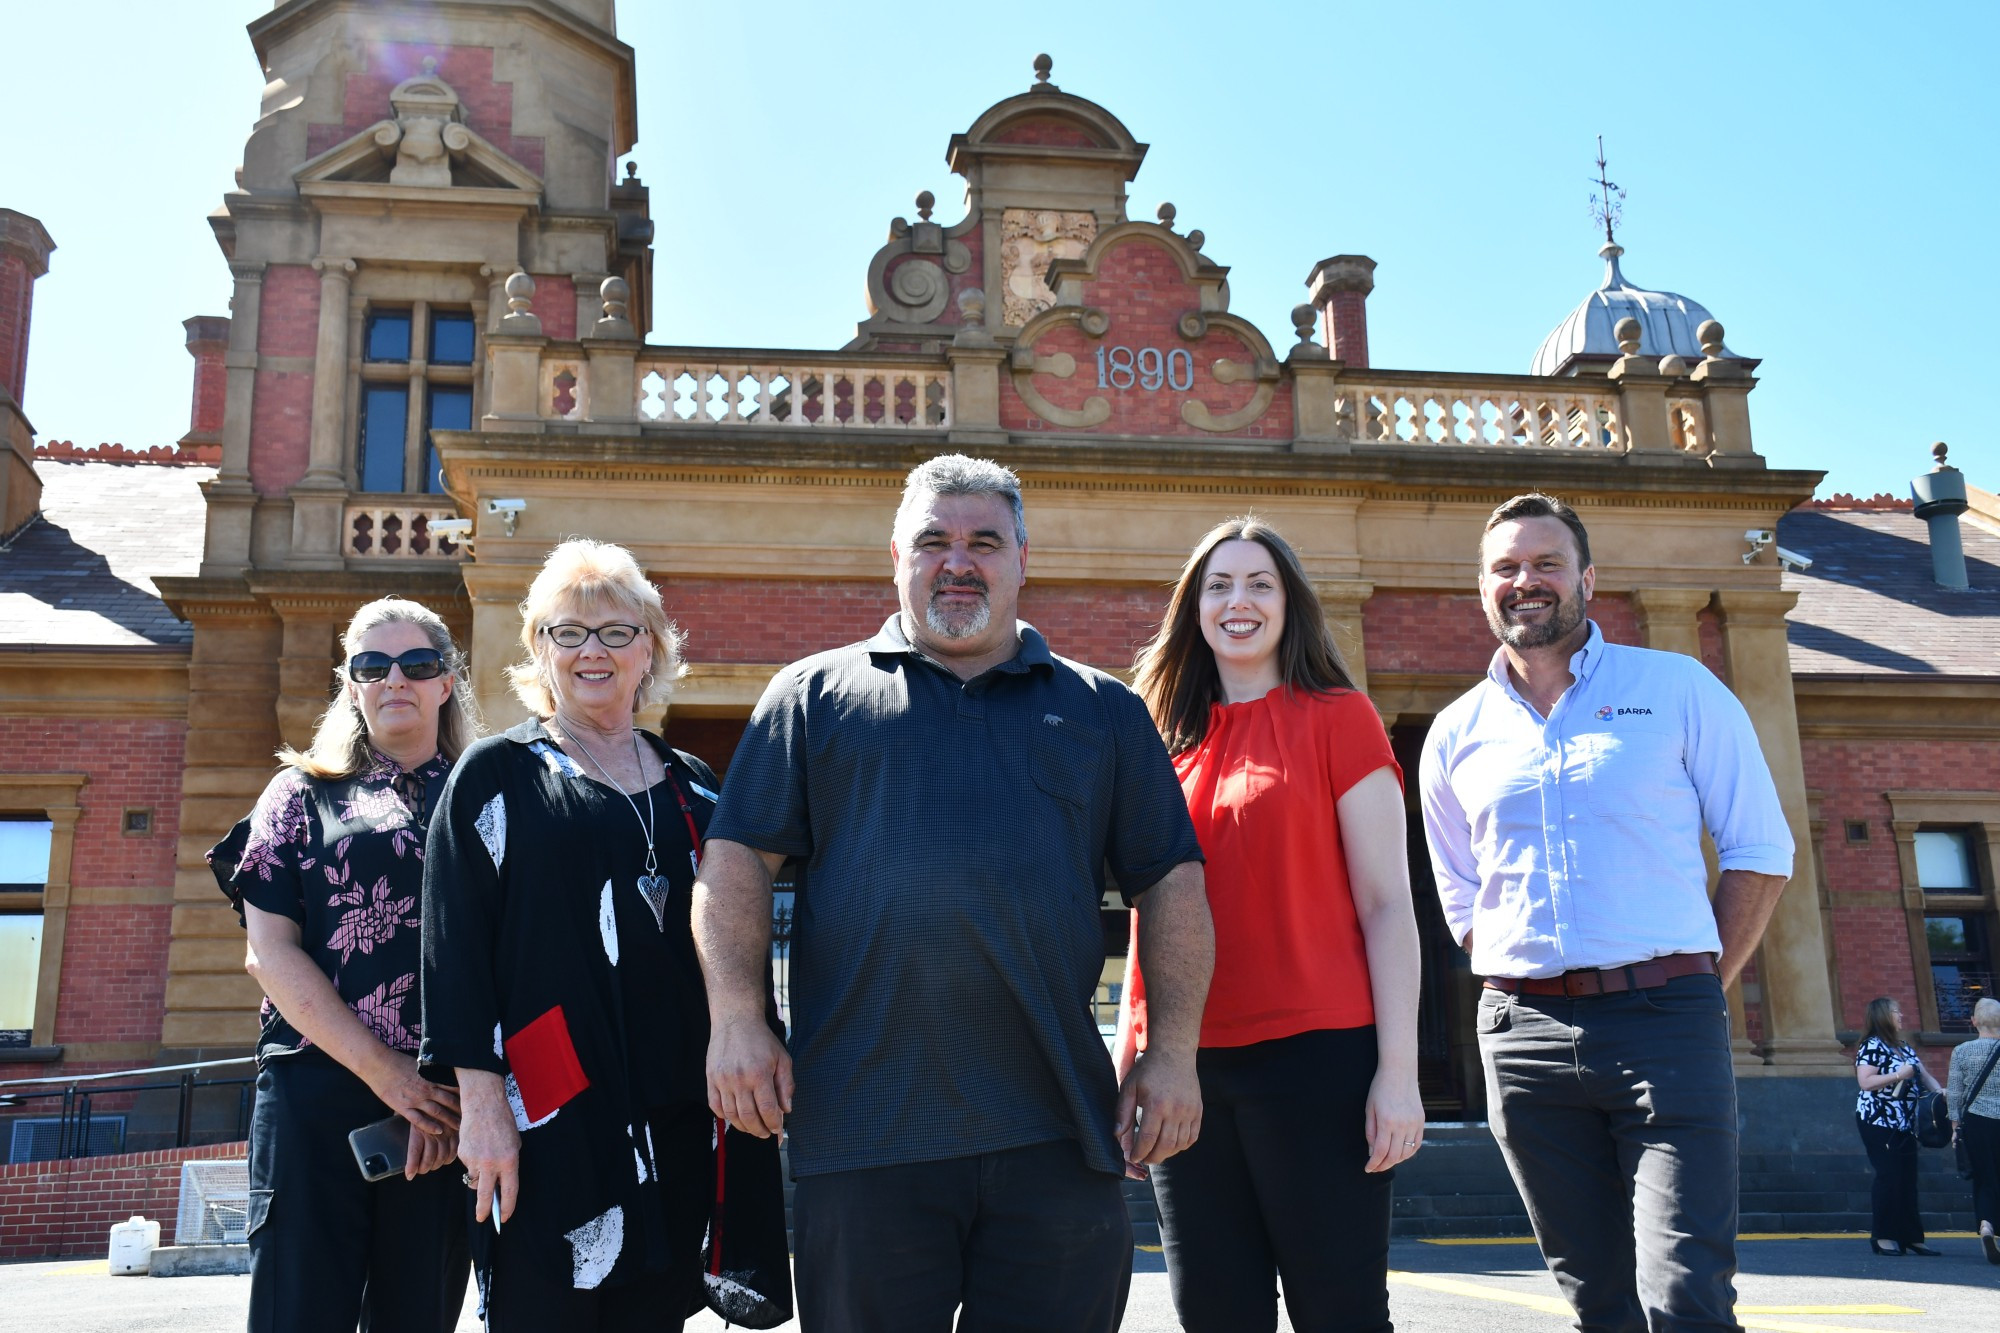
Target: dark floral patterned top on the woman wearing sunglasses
{"x": 345, "y": 860}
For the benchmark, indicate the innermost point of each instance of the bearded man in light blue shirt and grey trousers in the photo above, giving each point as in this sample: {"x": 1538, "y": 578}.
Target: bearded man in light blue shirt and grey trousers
{"x": 1565, "y": 802}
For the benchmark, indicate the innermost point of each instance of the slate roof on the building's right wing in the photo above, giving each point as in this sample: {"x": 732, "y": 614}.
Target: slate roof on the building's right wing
{"x": 1869, "y": 605}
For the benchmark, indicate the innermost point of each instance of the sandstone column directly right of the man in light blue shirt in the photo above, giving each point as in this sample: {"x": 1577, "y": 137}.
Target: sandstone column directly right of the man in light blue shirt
{"x": 1799, "y": 1000}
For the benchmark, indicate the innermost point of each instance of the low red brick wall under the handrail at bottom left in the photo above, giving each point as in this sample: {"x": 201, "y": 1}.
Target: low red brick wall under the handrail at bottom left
{"x": 69, "y": 1208}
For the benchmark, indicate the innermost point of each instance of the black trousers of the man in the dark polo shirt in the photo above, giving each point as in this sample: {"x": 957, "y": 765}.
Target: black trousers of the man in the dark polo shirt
{"x": 1027, "y": 1242}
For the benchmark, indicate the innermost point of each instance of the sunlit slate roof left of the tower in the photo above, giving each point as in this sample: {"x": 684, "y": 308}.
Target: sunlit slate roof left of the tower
{"x": 81, "y": 577}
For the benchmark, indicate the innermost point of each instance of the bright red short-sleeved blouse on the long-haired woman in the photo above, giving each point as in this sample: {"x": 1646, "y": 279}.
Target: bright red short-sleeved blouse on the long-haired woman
{"x": 1261, "y": 790}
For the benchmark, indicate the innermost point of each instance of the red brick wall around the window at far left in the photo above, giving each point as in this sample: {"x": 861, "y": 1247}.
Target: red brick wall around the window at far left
{"x": 115, "y": 954}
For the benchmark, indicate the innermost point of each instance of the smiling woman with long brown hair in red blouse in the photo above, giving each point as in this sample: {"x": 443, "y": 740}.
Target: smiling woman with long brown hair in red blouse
{"x": 1309, "y": 1040}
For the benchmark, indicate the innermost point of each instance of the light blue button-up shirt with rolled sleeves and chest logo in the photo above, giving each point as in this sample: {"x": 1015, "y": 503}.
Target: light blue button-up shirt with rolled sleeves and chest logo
{"x": 1577, "y": 842}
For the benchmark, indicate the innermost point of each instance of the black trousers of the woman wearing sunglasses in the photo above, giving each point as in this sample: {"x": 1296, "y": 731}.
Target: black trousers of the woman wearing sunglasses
{"x": 327, "y": 1248}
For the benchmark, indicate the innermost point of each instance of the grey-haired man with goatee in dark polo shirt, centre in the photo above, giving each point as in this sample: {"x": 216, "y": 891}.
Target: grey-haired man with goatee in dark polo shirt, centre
{"x": 955, "y": 794}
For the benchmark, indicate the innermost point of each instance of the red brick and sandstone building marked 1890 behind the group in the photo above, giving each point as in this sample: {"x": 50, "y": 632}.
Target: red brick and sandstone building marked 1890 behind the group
{"x": 441, "y": 303}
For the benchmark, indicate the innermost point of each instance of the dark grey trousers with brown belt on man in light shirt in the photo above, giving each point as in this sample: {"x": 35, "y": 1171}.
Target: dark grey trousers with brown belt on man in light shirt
{"x": 1617, "y": 1116}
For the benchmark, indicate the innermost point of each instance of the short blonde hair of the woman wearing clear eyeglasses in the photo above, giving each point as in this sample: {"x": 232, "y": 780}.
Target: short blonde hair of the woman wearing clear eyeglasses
{"x": 585, "y": 573}
